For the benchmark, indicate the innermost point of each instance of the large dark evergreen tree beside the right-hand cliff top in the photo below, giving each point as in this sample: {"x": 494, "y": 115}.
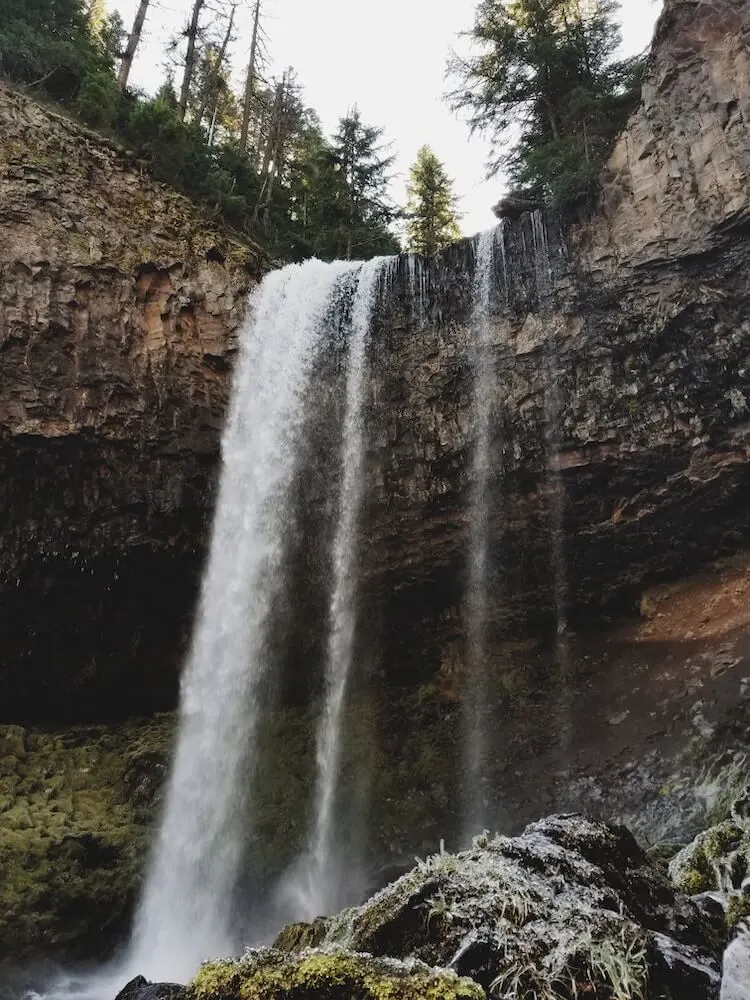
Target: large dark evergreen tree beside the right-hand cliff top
{"x": 546, "y": 68}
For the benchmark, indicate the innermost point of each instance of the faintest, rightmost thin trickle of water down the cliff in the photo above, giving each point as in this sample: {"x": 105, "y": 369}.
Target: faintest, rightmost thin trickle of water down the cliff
{"x": 552, "y": 408}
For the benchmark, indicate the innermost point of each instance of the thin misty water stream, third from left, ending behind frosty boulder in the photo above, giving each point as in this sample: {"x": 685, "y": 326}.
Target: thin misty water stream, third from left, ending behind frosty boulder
{"x": 476, "y": 693}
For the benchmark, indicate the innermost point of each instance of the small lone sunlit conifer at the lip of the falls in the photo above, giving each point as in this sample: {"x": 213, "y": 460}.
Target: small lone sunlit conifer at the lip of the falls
{"x": 432, "y": 220}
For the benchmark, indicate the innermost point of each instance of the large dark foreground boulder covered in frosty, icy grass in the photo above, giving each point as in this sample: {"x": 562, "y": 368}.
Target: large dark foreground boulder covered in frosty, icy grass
{"x": 569, "y": 901}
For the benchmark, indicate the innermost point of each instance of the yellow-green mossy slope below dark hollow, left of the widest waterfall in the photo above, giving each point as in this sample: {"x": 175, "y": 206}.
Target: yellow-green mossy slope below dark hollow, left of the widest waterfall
{"x": 75, "y": 809}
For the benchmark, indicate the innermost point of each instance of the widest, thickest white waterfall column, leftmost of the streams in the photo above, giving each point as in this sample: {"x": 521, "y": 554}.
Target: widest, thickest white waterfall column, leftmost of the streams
{"x": 185, "y": 914}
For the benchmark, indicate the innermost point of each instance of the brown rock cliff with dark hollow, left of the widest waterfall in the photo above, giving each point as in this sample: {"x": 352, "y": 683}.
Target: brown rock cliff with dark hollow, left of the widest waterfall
{"x": 118, "y": 308}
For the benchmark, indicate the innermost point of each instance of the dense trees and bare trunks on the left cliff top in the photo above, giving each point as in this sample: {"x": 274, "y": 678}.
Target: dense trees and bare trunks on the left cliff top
{"x": 258, "y": 159}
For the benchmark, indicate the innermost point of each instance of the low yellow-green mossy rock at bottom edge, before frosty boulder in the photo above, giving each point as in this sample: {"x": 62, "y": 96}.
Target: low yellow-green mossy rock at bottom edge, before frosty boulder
{"x": 327, "y": 975}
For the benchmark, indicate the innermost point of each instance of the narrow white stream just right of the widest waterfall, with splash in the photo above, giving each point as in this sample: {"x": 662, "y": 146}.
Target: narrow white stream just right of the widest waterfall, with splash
{"x": 317, "y": 883}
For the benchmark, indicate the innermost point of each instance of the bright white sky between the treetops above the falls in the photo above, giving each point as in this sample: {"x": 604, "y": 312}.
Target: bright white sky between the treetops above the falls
{"x": 388, "y": 57}
